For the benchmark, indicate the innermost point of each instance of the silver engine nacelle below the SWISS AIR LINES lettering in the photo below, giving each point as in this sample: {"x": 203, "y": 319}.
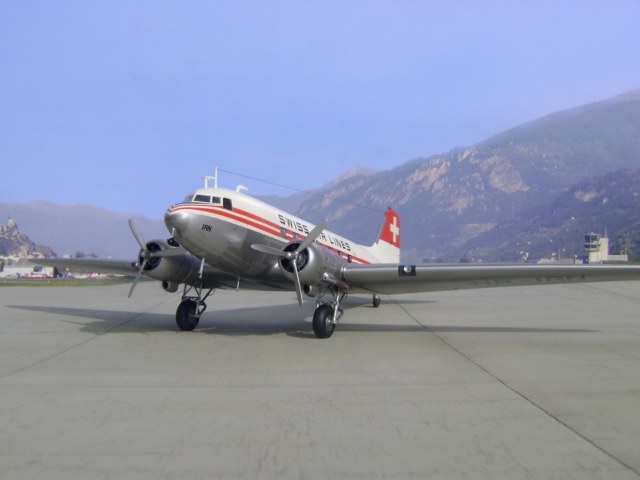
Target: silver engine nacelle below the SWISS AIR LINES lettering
{"x": 313, "y": 263}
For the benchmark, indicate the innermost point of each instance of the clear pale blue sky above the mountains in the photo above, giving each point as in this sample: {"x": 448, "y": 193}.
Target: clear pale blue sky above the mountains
{"x": 126, "y": 105}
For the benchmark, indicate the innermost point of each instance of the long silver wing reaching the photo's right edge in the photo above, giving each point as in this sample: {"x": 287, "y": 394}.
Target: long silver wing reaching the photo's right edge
{"x": 394, "y": 279}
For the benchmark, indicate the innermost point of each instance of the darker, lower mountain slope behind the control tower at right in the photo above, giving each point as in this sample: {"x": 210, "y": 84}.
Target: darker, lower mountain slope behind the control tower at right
{"x": 606, "y": 203}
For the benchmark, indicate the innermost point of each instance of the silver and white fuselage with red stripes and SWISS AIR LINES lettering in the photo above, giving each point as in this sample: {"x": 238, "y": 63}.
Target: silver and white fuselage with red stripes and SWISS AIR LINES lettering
{"x": 220, "y": 226}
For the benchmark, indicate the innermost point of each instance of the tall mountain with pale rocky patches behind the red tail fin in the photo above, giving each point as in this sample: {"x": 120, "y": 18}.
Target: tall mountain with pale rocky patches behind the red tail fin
{"x": 446, "y": 200}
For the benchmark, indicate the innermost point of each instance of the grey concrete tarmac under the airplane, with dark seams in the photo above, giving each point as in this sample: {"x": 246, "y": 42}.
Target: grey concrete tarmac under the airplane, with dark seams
{"x": 517, "y": 383}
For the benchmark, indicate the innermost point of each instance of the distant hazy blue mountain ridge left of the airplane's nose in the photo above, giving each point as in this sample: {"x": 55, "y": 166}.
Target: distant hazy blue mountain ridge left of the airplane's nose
{"x": 82, "y": 228}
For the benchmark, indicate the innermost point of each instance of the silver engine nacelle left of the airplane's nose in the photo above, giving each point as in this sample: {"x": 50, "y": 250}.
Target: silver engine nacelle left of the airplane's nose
{"x": 172, "y": 270}
